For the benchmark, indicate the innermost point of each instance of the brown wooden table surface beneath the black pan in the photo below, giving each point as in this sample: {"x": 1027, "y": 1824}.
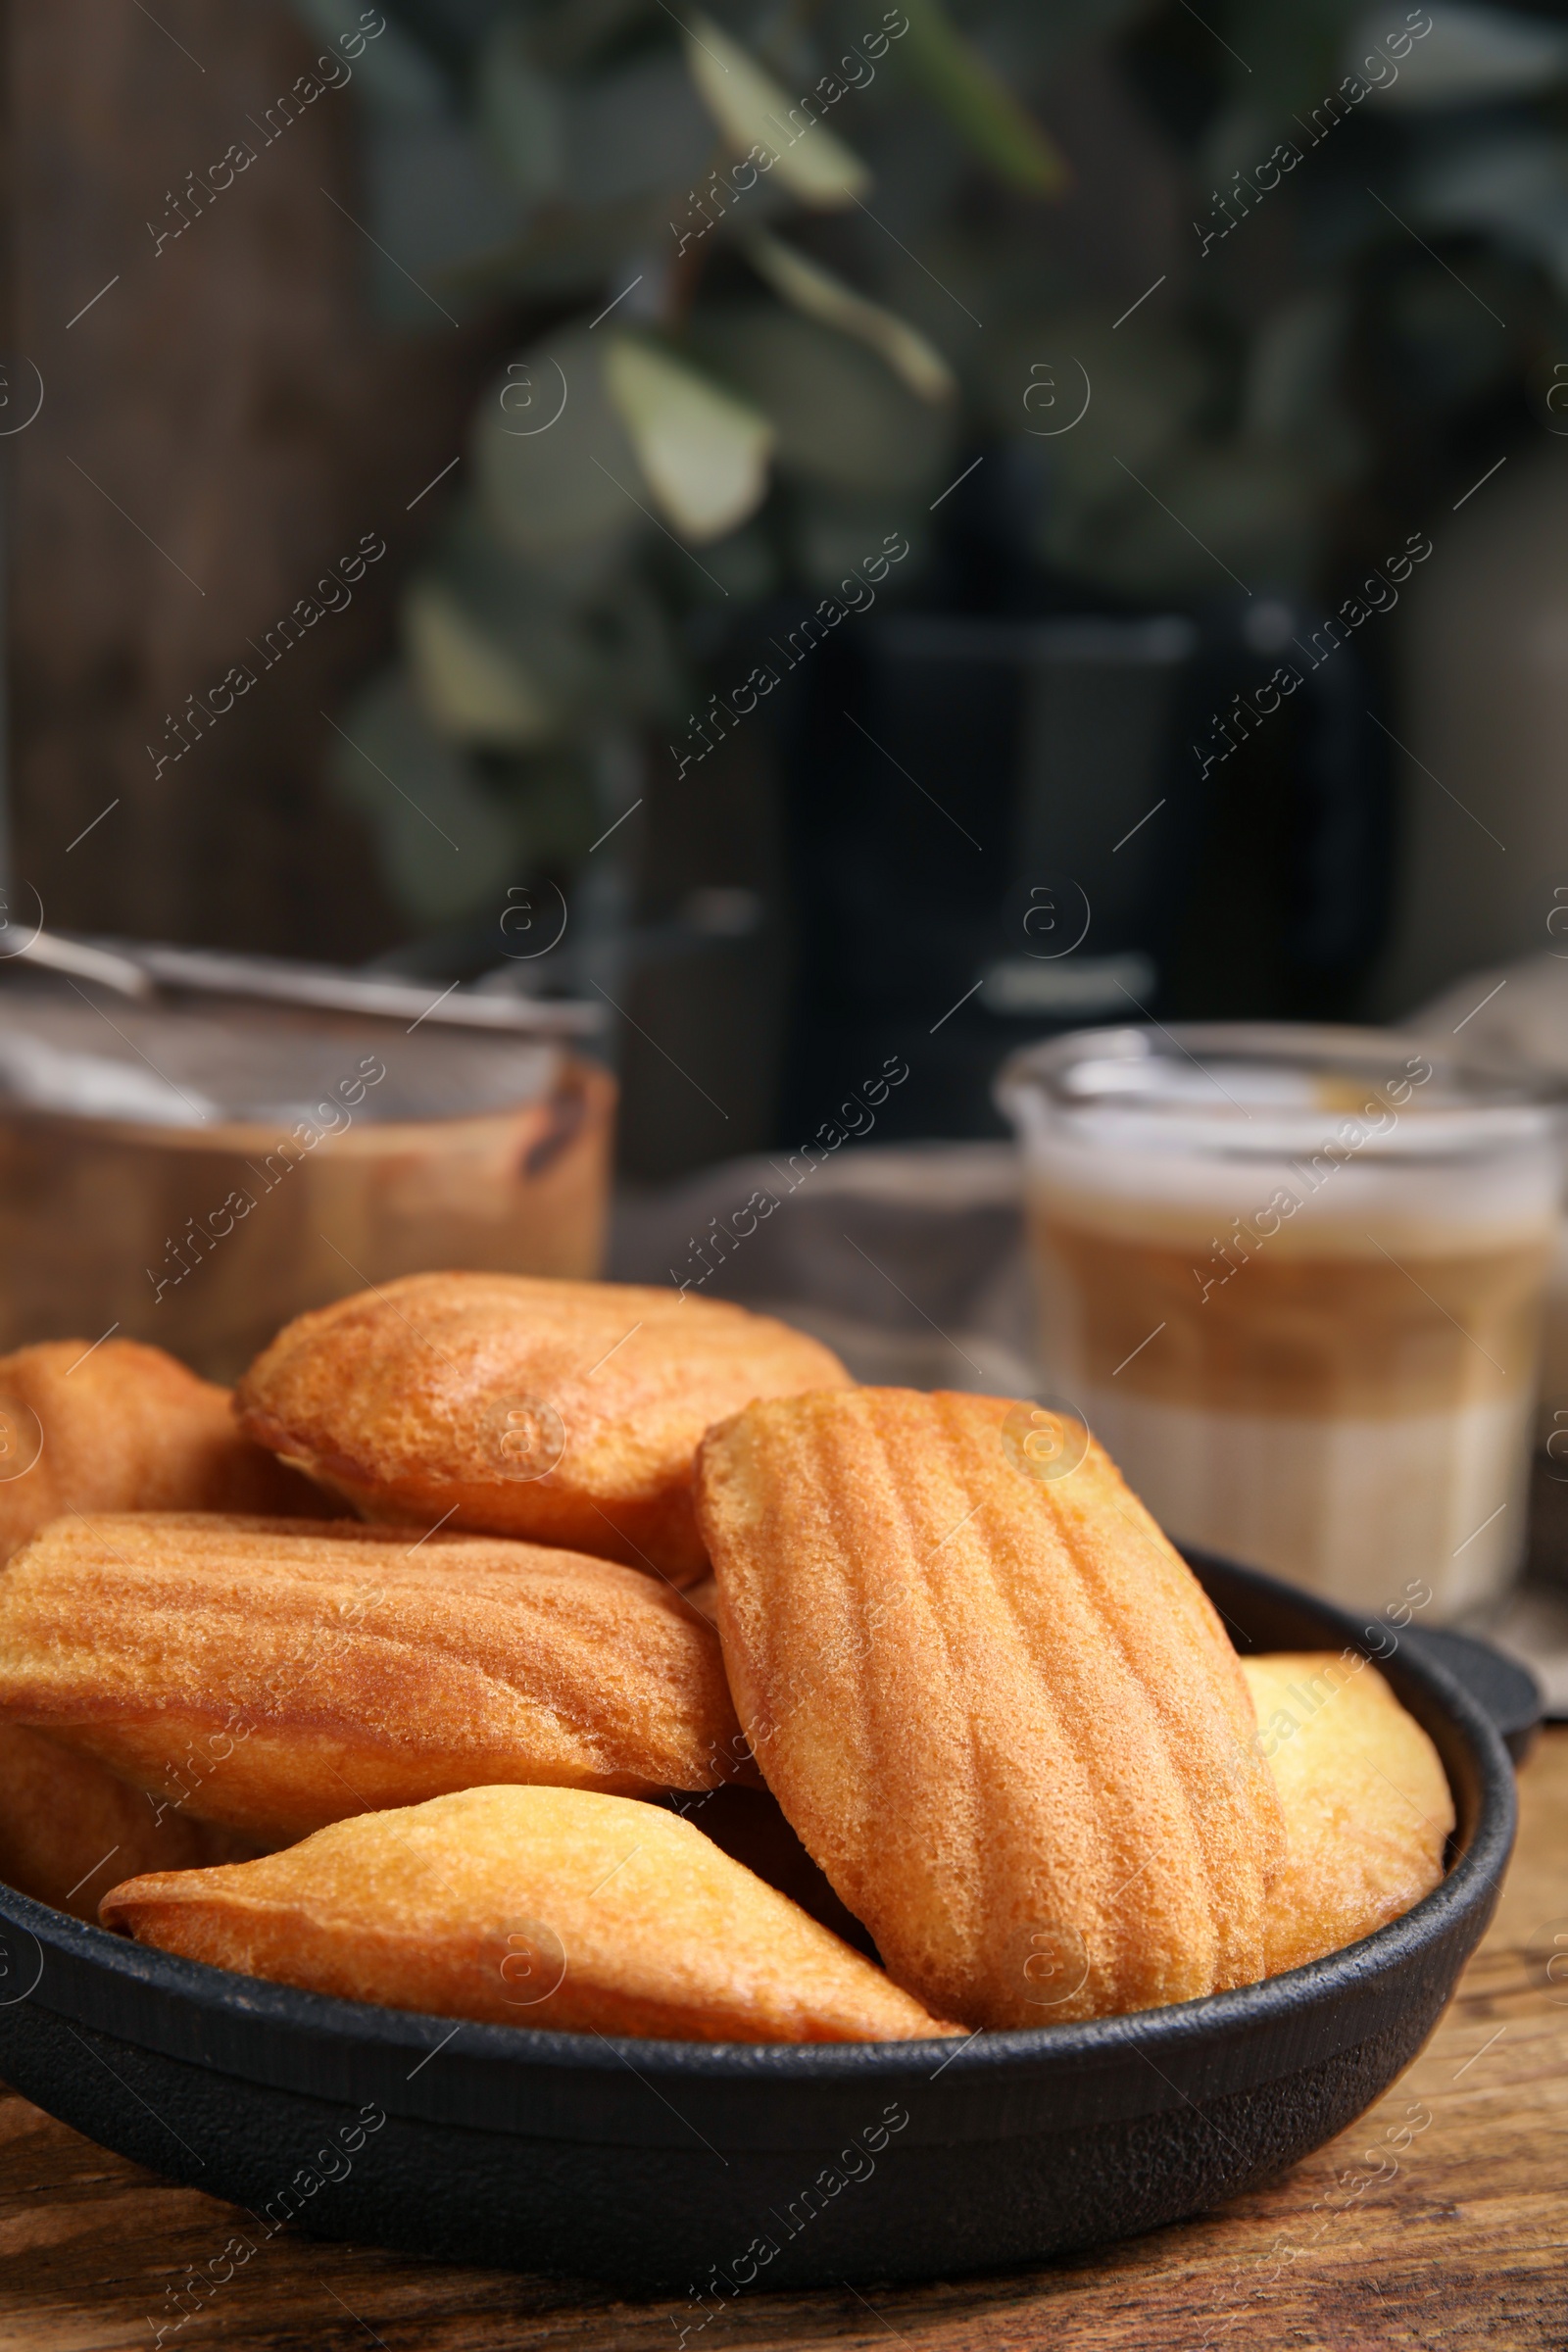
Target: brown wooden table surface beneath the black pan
{"x": 1463, "y": 2245}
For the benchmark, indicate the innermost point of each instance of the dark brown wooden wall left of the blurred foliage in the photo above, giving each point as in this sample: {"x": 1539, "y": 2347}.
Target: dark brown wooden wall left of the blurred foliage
{"x": 229, "y": 401}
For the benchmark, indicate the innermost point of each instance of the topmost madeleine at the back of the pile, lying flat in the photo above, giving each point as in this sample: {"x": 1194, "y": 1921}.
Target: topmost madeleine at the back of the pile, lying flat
{"x": 565, "y": 1412}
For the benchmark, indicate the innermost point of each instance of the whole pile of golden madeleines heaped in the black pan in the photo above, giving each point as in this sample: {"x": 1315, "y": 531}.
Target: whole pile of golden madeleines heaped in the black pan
{"x": 598, "y": 1659}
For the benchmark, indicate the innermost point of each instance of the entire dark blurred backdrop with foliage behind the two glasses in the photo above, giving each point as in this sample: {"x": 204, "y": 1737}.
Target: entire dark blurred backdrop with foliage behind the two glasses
{"x": 909, "y": 528}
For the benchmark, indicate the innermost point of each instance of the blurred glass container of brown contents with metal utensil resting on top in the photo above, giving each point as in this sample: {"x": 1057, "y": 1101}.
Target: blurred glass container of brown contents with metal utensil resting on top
{"x": 199, "y": 1172}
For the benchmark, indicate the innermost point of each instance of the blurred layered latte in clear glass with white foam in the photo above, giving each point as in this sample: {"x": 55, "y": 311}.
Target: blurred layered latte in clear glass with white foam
{"x": 1292, "y": 1281}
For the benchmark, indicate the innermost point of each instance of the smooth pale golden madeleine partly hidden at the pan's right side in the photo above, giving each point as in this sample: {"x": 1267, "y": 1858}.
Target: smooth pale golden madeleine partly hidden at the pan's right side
{"x": 1365, "y": 1796}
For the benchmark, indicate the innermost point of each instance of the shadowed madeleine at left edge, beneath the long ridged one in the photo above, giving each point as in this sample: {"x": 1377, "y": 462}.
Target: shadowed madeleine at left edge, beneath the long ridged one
{"x": 69, "y": 1826}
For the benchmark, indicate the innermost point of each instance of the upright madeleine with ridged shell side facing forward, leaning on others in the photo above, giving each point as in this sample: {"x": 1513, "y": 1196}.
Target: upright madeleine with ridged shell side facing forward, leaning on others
{"x": 996, "y": 1704}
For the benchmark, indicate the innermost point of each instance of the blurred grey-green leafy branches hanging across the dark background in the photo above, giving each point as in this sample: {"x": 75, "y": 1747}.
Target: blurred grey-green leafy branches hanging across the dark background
{"x": 803, "y": 260}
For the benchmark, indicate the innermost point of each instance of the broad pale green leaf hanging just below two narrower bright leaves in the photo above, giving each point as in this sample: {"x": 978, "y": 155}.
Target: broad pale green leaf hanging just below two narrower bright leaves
{"x": 702, "y": 450}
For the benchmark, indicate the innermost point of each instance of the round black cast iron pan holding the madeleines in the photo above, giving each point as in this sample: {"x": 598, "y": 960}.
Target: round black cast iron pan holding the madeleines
{"x": 718, "y": 2167}
